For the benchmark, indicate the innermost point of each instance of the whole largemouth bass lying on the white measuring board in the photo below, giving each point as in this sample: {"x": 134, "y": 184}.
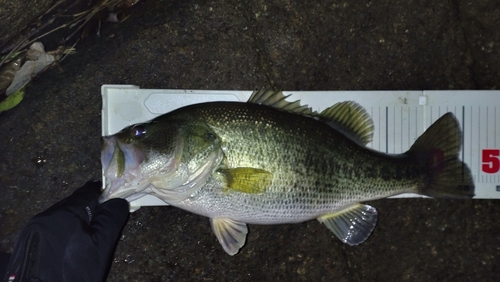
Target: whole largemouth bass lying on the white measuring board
{"x": 269, "y": 161}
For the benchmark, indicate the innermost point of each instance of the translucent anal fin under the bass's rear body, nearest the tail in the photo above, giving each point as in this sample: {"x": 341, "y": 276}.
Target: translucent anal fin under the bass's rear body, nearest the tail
{"x": 352, "y": 225}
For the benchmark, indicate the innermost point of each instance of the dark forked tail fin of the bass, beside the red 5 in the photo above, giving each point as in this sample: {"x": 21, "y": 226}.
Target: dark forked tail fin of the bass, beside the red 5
{"x": 444, "y": 174}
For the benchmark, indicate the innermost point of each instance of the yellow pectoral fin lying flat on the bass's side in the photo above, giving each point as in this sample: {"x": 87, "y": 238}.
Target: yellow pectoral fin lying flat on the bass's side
{"x": 246, "y": 179}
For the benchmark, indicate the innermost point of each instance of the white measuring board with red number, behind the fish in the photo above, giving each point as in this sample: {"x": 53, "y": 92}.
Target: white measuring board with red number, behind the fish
{"x": 400, "y": 117}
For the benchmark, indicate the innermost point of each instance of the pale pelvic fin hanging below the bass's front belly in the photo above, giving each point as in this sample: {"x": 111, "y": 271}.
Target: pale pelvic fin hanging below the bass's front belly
{"x": 230, "y": 233}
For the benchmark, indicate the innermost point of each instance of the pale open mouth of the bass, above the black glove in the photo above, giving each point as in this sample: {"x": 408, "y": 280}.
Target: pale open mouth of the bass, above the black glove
{"x": 121, "y": 170}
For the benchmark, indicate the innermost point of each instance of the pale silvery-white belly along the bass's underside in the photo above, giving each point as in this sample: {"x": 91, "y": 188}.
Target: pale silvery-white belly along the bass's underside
{"x": 270, "y": 207}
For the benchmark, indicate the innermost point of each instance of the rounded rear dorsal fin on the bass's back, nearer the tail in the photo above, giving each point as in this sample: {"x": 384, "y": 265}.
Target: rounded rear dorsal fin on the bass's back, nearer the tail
{"x": 351, "y": 119}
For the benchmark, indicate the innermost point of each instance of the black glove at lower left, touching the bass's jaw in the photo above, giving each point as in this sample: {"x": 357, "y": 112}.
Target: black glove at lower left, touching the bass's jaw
{"x": 74, "y": 240}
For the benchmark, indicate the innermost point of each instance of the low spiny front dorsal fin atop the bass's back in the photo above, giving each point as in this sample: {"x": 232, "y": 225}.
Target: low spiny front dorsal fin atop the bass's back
{"x": 276, "y": 99}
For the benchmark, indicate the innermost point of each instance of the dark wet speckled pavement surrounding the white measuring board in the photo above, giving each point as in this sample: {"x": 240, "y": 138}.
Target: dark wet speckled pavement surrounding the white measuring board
{"x": 50, "y": 144}
